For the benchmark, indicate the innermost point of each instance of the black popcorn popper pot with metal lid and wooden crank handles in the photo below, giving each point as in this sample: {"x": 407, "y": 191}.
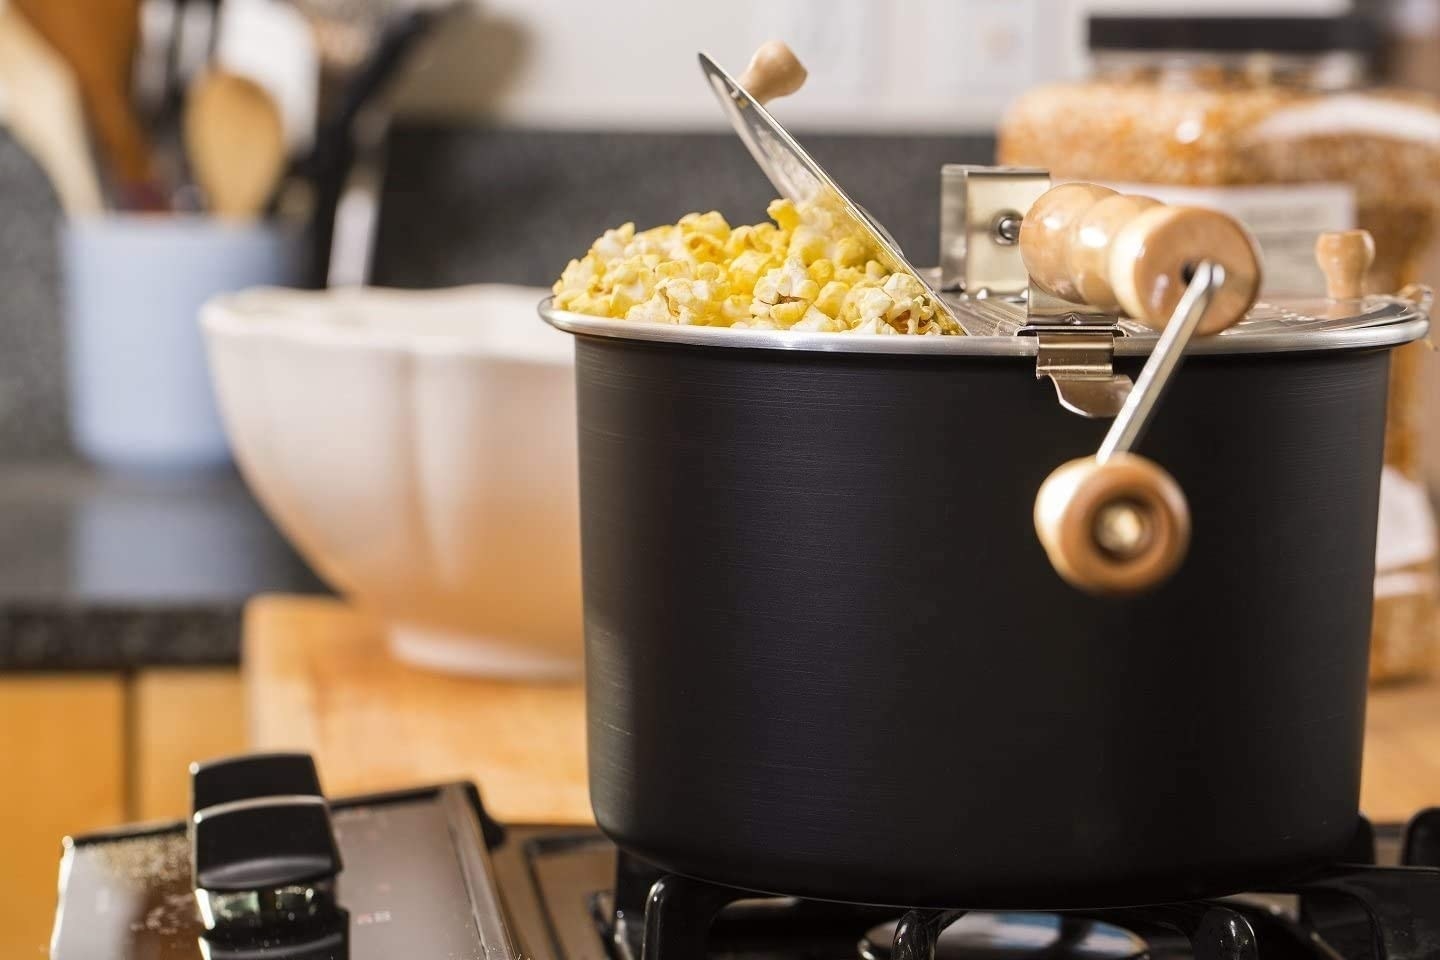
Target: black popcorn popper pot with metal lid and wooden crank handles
{"x": 863, "y": 614}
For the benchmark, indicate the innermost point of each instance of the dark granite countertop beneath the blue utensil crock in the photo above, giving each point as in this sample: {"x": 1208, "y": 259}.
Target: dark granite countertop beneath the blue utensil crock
{"x": 113, "y": 571}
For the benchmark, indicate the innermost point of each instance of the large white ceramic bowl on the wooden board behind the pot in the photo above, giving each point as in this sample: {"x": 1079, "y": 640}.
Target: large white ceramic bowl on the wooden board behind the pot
{"x": 418, "y": 448}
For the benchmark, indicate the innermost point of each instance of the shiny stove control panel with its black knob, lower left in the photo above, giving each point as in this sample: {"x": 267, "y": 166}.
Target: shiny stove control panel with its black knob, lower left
{"x": 269, "y": 869}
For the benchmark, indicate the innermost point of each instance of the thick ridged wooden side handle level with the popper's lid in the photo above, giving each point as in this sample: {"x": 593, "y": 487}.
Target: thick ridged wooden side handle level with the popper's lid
{"x": 1088, "y": 244}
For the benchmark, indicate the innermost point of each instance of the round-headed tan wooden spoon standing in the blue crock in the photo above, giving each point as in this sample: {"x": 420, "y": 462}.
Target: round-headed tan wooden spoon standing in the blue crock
{"x": 235, "y": 140}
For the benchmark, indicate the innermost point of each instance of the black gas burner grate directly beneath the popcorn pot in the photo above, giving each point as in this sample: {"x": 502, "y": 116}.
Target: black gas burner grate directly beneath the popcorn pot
{"x": 1349, "y": 912}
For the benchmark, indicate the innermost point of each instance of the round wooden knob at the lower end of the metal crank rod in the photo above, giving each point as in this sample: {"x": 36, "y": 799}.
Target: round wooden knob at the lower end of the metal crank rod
{"x": 1114, "y": 527}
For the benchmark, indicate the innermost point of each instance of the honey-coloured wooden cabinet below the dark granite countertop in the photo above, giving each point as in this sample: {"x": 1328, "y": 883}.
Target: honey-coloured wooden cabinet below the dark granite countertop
{"x": 87, "y": 752}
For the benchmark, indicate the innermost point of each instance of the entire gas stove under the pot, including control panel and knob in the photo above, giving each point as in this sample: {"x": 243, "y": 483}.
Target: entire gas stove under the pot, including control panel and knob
{"x": 267, "y": 870}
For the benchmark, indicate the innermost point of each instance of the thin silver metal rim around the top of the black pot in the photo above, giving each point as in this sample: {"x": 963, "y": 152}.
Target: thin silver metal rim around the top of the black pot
{"x": 1387, "y": 322}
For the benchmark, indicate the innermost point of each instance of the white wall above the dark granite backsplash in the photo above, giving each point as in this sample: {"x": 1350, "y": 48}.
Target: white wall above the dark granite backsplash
{"x": 899, "y": 65}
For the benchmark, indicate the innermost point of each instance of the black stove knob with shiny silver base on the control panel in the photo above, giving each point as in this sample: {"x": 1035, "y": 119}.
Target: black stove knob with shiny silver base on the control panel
{"x": 263, "y": 848}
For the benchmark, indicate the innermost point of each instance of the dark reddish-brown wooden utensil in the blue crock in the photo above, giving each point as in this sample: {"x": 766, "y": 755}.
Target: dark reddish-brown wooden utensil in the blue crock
{"x": 99, "y": 38}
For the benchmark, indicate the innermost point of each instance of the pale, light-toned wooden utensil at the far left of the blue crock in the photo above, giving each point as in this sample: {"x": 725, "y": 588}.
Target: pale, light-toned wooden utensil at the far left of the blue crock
{"x": 44, "y": 110}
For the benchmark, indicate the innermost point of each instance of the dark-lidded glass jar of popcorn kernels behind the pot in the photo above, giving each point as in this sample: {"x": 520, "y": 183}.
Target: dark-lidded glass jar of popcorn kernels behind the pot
{"x": 1272, "y": 122}
